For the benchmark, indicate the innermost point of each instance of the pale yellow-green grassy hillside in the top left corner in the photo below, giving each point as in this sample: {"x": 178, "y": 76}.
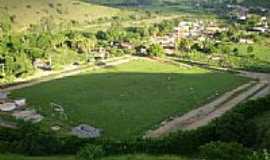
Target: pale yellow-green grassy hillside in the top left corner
{"x": 25, "y": 12}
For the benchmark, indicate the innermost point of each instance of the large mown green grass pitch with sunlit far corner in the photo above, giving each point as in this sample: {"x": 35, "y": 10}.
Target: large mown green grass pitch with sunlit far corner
{"x": 129, "y": 99}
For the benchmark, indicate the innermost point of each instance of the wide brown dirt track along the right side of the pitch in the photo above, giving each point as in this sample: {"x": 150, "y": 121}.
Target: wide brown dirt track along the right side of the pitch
{"x": 204, "y": 114}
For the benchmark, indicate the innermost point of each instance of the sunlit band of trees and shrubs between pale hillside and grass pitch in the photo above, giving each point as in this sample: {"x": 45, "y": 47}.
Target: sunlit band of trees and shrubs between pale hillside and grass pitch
{"x": 55, "y": 49}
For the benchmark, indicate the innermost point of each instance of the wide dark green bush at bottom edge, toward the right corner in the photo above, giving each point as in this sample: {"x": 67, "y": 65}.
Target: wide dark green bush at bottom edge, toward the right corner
{"x": 224, "y": 151}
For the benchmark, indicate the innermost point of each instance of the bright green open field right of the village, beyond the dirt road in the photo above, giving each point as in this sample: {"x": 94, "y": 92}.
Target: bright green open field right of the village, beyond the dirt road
{"x": 257, "y": 60}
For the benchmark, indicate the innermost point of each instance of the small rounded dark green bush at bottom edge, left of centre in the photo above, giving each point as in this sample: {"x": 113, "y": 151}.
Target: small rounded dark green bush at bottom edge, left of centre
{"x": 91, "y": 152}
